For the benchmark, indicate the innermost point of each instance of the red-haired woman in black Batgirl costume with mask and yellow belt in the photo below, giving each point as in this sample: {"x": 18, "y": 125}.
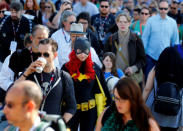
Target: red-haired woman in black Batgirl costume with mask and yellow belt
{"x": 84, "y": 74}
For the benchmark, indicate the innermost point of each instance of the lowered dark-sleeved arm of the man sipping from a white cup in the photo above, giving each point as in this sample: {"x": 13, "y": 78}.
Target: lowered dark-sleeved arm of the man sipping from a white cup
{"x": 68, "y": 96}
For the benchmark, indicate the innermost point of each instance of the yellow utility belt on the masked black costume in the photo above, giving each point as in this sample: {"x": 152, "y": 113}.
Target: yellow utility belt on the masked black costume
{"x": 85, "y": 106}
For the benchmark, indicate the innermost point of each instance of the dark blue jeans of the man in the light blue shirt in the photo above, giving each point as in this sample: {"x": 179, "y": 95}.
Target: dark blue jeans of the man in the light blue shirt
{"x": 150, "y": 63}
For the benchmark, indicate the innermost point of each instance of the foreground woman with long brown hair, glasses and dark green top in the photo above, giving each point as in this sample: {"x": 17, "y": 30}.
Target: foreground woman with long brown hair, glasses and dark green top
{"x": 128, "y": 112}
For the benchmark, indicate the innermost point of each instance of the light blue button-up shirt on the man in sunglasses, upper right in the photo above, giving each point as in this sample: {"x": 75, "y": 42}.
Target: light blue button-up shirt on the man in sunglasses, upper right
{"x": 158, "y": 34}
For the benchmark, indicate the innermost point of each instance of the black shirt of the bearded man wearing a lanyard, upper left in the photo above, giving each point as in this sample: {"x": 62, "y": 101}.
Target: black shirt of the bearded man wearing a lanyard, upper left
{"x": 7, "y": 34}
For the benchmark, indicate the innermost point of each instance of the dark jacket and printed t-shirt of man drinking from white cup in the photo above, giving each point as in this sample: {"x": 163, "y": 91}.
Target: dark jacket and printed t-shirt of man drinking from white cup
{"x": 54, "y": 93}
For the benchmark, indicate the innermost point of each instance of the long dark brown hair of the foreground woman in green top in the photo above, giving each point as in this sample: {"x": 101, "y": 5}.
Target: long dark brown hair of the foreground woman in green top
{"x": 130, "y": 90}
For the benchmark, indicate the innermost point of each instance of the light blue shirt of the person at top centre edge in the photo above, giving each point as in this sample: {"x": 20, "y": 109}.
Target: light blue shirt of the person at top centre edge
{"x": 89, "y": 7}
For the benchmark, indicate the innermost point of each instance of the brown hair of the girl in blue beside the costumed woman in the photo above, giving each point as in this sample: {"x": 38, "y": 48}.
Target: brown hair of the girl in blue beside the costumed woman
{"x": 113, "y": 59}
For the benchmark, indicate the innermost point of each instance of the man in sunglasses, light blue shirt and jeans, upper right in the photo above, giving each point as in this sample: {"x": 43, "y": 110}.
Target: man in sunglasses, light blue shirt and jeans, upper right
{"x": 160, "y": 32}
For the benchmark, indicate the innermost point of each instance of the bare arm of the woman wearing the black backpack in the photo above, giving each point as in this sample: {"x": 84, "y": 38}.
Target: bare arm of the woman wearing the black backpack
{"x": 149, "y": 84}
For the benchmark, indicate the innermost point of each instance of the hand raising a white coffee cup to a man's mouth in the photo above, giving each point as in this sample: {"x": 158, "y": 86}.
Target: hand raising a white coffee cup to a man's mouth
{"x": 32, "y": 67}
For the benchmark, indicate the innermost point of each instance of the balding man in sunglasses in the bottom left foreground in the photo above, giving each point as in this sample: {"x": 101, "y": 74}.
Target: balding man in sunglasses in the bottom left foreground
{"x": 21, "y": 109}
